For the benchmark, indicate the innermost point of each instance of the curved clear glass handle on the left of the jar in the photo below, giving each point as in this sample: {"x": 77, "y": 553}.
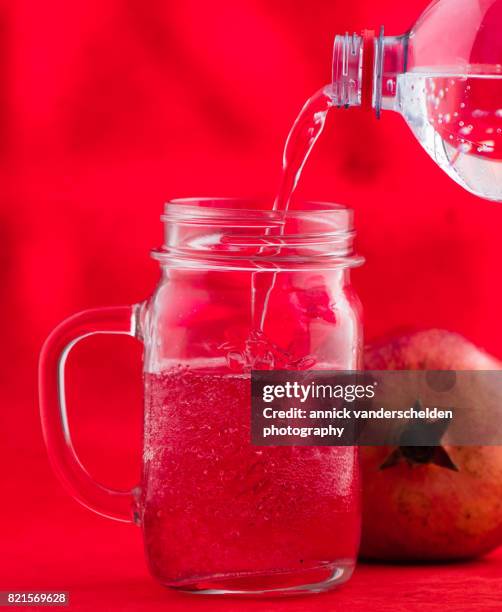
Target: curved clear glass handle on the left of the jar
{"x": 118, "y": 505}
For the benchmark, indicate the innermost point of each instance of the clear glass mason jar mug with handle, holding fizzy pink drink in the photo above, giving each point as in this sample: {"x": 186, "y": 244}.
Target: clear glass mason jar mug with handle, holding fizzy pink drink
{"x": 242, "y": 288}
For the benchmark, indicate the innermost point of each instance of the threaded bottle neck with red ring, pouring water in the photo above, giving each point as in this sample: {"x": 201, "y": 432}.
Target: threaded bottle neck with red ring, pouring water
{"x": 366, "y": 68}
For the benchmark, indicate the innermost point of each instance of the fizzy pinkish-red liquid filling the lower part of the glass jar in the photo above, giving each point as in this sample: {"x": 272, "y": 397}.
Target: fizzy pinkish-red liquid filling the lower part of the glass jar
{"x": 220, "y": 511}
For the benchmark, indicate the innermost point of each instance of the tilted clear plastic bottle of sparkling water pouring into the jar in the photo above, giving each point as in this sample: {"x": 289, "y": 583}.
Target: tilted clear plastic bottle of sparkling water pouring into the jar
{"x": 444, "y": 77}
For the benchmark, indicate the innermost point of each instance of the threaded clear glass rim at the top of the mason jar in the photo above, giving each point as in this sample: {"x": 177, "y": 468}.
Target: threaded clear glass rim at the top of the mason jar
{"x": 246, "y": 233}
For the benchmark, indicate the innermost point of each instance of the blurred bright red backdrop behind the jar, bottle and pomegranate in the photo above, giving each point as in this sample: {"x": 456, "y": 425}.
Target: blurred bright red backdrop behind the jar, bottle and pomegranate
{"x": 107, "y": 109}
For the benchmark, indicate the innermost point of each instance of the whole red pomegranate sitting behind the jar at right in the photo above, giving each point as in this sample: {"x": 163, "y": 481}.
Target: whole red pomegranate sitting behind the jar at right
{"x": 438, "y": 502}
